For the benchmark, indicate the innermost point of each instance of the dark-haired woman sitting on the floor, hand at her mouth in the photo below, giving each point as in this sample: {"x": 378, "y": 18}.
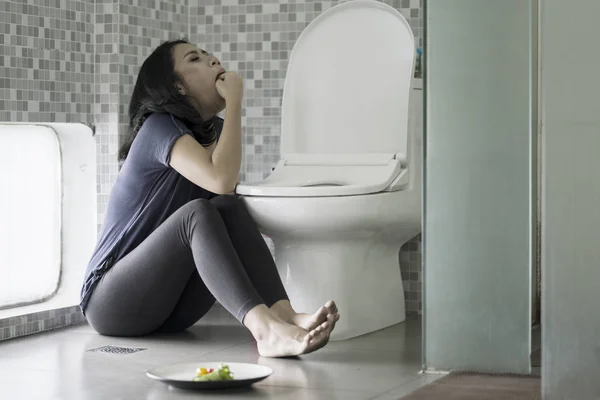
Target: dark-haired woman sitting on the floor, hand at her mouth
{"x": 174, "y": 239}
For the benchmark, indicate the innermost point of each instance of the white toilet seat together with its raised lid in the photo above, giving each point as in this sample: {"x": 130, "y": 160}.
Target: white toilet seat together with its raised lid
{"x": 333, "y": 142}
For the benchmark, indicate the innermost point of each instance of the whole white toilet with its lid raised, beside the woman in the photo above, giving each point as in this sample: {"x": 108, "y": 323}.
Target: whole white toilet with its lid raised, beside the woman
{"x": 346, "y": 193}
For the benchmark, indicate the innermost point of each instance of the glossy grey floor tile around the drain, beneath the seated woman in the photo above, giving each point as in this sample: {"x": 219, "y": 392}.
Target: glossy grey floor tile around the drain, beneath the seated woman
{"x": 67, "y": 348}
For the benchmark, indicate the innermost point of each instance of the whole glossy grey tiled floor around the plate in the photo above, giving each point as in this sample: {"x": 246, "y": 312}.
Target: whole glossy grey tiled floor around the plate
{"x": 55, "y": 365}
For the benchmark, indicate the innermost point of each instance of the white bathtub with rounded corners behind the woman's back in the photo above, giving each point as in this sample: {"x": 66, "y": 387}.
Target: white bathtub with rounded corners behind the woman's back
{"x": 48, "y": 214}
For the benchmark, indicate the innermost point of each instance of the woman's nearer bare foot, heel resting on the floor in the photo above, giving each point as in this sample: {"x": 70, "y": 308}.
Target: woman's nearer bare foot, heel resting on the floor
{"x": 284, "y": 340}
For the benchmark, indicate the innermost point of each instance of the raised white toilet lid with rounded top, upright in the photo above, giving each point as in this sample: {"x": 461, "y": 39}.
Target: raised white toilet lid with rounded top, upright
{"x": 348, "y": 82}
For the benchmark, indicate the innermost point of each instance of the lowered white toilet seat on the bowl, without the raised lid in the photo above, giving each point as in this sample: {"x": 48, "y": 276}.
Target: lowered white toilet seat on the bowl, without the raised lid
{"x": 326, "y": 175}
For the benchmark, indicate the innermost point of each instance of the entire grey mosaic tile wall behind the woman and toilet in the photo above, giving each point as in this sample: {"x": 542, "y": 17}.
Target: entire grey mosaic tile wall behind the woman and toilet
{"x": 77, "y": 60}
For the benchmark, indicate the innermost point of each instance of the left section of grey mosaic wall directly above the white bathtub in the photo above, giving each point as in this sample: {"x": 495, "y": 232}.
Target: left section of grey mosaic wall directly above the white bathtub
{"x": 46, "y": 60}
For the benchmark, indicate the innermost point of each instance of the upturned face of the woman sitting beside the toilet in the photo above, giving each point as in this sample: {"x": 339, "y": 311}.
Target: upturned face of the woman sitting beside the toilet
{"x": 198, "y": 71}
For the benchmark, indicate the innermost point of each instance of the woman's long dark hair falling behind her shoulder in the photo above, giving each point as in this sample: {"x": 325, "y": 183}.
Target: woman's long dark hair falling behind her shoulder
{"x": 155, "y": 91}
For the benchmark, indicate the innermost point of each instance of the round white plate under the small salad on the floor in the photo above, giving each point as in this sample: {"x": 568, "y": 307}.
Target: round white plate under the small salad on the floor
{"x": 182, "y": 375}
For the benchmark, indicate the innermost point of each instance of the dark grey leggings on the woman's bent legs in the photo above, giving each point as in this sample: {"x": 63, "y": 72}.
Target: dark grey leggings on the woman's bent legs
{"x": 206, "y": 250}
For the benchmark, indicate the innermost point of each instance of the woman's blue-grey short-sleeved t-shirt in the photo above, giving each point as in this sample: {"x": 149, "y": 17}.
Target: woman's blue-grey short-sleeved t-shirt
{"x": 147, "y": 191}
